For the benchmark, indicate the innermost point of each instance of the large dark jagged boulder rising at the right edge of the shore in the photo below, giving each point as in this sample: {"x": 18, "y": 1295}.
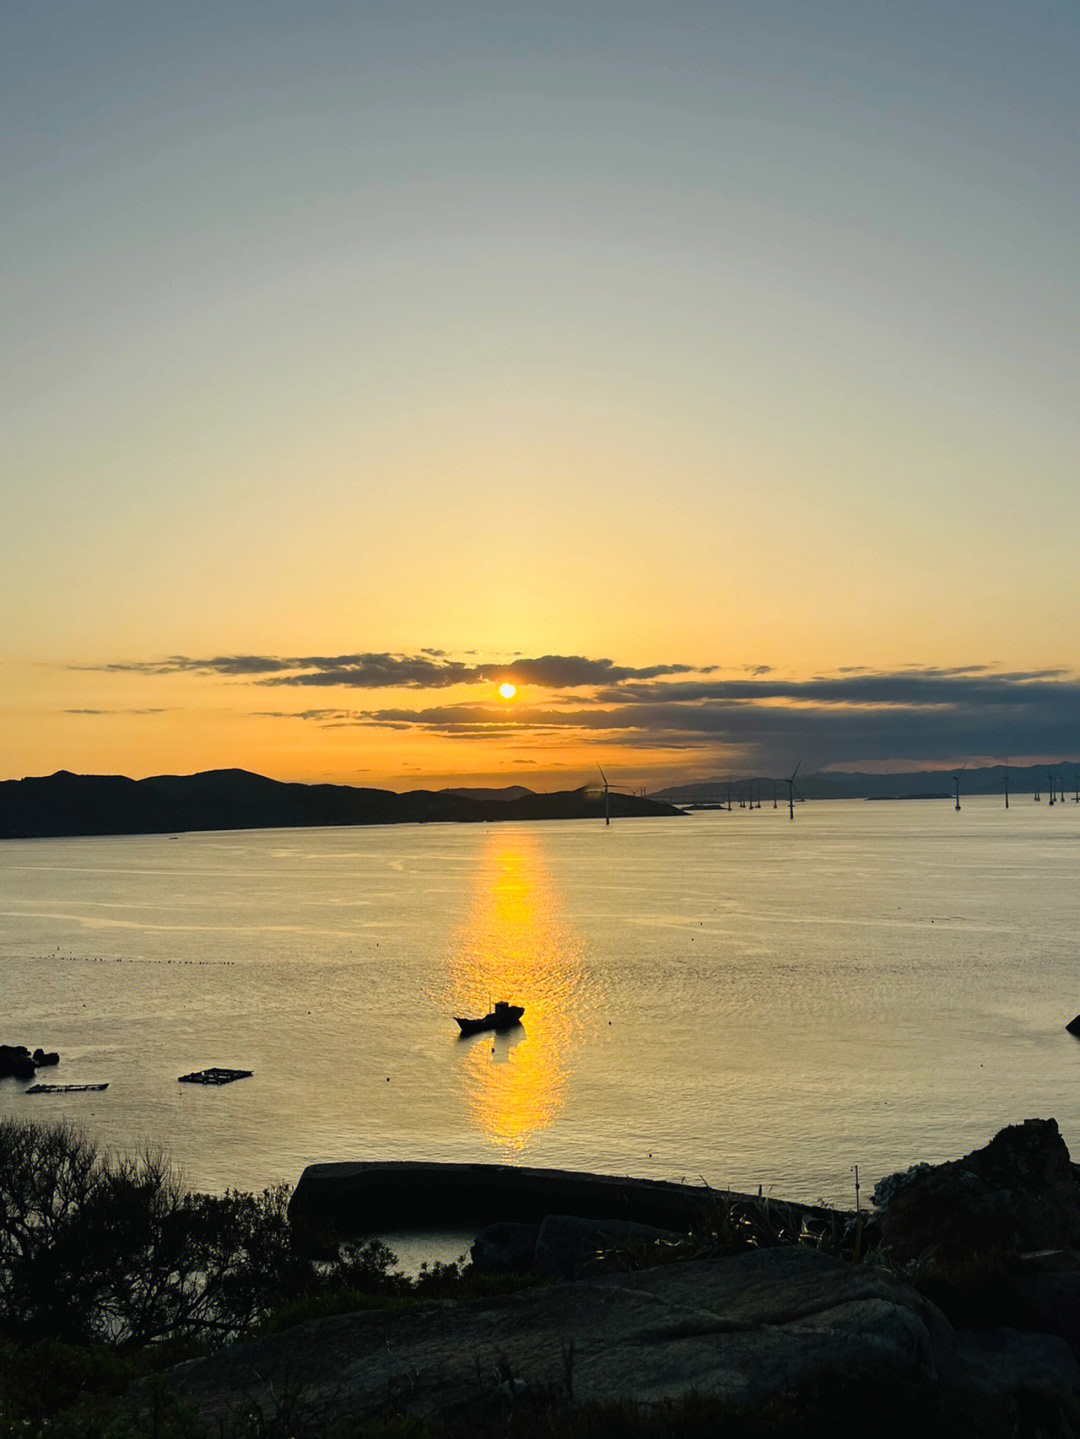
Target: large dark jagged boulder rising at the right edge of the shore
{"x": 1017, "y": 1194}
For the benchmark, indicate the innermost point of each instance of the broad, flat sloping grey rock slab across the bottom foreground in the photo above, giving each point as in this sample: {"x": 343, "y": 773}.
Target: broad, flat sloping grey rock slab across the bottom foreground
{"x": 746, "y": 1329}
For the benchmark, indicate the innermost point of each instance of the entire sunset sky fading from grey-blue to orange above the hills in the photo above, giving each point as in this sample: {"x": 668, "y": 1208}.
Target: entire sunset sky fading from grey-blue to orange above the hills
{"x": 705, "y": 371}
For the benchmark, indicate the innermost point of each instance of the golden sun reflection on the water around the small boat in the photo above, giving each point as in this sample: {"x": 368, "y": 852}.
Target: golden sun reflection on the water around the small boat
{"x": 517, "y": 946}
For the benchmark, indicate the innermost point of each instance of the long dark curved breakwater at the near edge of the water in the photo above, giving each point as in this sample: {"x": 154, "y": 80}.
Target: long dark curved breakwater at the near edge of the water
{"x": 344, "y": 1201}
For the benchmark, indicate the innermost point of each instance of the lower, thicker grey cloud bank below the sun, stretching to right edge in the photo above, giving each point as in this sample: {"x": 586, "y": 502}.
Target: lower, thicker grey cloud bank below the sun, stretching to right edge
{"x": 911, "y": 716}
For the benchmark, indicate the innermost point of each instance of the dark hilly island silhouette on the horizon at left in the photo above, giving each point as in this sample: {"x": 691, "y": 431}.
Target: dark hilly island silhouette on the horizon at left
{"x": 65, "y": 804}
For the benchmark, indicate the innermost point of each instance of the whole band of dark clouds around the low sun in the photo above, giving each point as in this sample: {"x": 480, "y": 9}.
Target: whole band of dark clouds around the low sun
{"x": 751, "y": 717}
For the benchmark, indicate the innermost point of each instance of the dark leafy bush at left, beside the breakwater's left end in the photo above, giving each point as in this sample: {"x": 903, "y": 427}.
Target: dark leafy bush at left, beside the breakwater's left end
{"x": 104, "y": 1250}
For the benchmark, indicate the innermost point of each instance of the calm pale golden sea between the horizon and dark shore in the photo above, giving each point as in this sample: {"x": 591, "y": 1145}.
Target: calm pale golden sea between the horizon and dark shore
{"x": 727, "y": 997}
